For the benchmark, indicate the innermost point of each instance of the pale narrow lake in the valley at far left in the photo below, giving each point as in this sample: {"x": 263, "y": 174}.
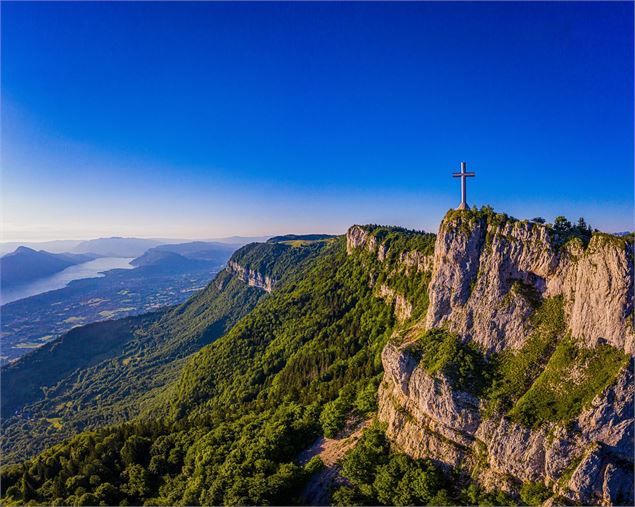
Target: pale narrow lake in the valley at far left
{"x": 90, "y": 269}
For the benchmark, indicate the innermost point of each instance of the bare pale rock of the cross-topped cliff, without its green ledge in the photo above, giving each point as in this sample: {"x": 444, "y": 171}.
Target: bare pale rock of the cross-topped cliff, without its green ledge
{"x": 489, "y": 273}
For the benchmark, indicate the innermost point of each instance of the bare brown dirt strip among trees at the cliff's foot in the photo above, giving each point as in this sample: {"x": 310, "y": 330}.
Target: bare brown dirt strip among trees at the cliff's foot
{"x": 331, "y": 450}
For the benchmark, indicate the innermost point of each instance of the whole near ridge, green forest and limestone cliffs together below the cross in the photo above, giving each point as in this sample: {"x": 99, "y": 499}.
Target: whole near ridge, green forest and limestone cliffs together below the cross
{"x": 374, "y": 325}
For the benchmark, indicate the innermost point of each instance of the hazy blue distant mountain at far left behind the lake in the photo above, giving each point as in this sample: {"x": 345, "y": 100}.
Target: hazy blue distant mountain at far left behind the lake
{"x": 26, "y": 264}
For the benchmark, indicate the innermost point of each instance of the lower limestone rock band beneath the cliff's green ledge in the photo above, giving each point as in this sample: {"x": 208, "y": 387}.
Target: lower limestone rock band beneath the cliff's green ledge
{"x": 589, "y": 462}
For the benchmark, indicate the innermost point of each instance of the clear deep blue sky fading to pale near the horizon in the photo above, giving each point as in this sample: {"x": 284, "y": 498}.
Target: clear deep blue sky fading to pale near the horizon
{"x": 212, "y": 119}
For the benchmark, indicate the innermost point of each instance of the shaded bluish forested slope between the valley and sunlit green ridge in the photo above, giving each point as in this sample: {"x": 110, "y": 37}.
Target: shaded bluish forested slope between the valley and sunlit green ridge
{"x": 112, "y": 371}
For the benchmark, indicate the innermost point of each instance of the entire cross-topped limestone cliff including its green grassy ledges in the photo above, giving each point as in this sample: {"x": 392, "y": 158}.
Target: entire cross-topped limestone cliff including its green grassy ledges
{"x": 520, "y": 370}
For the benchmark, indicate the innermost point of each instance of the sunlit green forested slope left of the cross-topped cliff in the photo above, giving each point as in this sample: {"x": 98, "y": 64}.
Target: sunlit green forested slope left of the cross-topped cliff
{"x": 243, "y": 407}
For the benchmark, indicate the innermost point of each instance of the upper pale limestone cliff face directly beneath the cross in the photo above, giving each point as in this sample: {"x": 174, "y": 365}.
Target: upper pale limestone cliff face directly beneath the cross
{"x": 487, "y": 274}
